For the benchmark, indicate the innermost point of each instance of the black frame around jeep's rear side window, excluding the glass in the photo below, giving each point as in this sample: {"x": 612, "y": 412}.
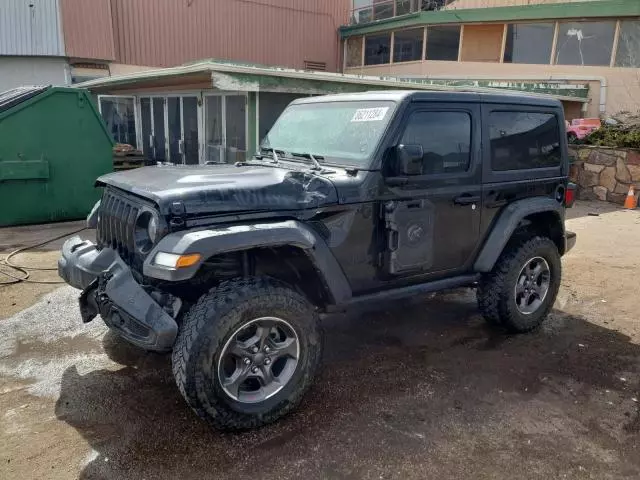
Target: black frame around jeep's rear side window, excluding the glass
{"x": 498, "y": 176}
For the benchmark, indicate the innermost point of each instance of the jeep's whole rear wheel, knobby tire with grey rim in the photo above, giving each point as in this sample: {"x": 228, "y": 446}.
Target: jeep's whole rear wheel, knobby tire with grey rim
{"x": 522, "y": 287}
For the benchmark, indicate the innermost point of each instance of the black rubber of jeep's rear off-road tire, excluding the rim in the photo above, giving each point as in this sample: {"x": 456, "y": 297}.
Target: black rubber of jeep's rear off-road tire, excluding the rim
{"x": 496, "y": 295}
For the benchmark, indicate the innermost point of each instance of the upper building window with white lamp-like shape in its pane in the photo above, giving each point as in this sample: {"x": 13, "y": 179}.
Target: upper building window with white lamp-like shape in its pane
{"x": 585, "y": 43}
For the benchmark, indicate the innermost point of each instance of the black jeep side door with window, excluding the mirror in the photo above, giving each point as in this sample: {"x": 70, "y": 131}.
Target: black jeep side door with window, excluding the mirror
{"x": 432, "y": 218}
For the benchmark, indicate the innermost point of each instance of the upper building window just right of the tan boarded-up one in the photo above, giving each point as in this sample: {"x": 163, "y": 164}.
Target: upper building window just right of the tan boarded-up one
{"x": 522, "y": 37}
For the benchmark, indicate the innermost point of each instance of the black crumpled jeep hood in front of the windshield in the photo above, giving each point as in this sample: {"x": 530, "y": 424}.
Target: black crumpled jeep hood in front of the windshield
{"x": 215, "y": 189}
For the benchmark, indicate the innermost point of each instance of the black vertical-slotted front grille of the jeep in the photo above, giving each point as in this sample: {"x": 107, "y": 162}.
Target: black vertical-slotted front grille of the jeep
{"x": 116, "y": 224}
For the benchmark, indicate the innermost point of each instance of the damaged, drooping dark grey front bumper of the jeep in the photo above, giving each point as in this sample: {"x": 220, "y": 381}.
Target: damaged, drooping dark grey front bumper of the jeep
{"x": 109, "y": 288}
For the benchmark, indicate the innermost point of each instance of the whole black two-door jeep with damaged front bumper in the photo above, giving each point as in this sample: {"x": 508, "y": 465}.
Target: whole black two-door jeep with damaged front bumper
{"x": 352, "y": 199}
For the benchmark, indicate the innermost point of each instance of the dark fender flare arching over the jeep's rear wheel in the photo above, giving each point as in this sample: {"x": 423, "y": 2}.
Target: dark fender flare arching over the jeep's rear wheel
{"x": 506, "y": 224}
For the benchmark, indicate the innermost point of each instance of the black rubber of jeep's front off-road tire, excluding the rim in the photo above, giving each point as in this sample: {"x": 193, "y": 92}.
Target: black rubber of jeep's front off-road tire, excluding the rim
{"x": 209, "y": 324}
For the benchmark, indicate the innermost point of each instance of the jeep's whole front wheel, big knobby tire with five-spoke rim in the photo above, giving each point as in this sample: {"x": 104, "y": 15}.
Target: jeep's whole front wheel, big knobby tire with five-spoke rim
{"x": 246, "y": 353}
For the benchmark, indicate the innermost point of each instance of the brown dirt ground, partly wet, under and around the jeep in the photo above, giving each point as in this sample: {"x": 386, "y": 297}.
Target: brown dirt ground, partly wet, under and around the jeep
{"x": 419, "y": 389}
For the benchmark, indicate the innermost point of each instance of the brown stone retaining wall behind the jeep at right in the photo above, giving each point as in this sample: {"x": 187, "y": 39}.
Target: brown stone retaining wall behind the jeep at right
{"x": 604, "y": 173}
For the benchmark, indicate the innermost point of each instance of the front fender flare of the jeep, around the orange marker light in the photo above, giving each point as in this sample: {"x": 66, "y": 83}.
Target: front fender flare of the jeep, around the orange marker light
{"x": 235, "y": 238}
